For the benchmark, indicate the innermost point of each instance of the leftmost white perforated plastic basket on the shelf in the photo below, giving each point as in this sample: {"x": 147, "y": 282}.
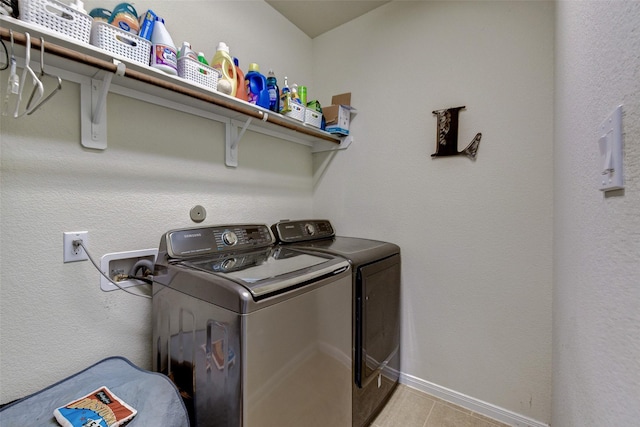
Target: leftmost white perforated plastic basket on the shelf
{"x": 58, "y": 17}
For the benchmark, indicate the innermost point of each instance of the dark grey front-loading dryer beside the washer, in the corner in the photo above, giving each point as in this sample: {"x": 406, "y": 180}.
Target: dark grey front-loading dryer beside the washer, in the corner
{"x": 376, "y": 308}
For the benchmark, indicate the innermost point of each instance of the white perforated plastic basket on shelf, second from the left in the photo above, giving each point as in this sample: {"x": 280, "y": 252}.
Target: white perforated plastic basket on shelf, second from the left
{"x": 119, "y": 42}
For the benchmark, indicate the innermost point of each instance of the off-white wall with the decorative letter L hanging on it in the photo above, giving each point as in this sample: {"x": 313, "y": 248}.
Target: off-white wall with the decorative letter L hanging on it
{"x": 476, "y": 236}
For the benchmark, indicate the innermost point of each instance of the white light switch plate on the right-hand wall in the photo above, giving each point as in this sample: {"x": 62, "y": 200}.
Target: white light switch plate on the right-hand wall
{"x": 610, "y": 174}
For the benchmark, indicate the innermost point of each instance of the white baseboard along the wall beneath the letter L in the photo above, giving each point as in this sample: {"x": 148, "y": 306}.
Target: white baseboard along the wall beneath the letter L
{"x": 475, "y": 405}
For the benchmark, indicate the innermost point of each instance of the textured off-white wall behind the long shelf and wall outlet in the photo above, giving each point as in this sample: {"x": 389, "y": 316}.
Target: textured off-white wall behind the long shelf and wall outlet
{"x": 159, "y": 163}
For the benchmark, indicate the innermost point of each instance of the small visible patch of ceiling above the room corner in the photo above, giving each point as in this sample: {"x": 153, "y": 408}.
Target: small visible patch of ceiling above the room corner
{"x": 315, "y": 17}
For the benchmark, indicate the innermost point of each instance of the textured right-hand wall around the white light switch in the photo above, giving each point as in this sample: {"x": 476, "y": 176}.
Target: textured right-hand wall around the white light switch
{"x": 596, "y": 340}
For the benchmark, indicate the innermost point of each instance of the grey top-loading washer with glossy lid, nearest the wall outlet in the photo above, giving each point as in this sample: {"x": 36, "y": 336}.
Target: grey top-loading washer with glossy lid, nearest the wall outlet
{"x": 253, "y": 333}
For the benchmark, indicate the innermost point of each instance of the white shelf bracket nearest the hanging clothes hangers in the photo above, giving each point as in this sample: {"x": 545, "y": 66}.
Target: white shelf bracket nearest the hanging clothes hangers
{"x": 93, "y": 100}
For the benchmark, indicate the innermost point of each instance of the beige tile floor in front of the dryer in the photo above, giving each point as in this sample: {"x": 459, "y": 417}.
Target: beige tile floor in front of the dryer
{"x": 411, "y": 408}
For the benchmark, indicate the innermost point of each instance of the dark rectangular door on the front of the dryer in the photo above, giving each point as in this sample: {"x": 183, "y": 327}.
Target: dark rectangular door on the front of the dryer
{"x": 377, "y": 326}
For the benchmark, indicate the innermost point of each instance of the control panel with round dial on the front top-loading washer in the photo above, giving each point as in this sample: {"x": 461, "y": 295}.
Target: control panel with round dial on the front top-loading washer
{"x": 216, "y": 239}
